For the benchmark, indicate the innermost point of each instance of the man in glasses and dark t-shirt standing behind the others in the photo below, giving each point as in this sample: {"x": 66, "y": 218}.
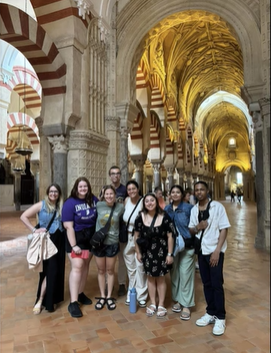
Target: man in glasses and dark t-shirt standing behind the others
{"x": 115, "y": 175}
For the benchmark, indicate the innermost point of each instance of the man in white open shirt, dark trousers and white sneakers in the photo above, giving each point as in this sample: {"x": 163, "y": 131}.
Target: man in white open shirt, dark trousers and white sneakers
{"x": 211, "y": 255}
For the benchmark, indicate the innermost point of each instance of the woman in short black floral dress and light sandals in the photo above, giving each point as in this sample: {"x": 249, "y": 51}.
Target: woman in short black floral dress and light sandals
{"x": 154, "y": 248}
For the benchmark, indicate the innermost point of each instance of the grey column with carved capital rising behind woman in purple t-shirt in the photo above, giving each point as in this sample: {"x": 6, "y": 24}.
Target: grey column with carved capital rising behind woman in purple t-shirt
{"x": 59, "y": 146}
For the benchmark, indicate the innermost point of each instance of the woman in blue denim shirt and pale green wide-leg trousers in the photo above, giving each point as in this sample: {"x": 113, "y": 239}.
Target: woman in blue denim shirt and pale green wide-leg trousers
{"x": 183, "y": 271}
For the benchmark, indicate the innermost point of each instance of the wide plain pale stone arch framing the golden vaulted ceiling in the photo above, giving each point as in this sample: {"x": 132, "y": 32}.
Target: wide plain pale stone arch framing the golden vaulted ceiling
{"x": 131, "y": 37}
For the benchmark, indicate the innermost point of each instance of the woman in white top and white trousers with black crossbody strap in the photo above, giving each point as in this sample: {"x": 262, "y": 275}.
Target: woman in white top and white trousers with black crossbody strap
{"x": 136, "y": 274}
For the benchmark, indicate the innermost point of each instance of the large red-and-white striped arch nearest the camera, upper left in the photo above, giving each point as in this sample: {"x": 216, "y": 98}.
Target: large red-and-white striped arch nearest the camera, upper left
{"x": 17, "y": 27}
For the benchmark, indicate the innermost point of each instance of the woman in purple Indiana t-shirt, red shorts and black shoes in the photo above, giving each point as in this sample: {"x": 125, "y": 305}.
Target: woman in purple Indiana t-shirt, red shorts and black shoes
{"x": 79, "y": 218}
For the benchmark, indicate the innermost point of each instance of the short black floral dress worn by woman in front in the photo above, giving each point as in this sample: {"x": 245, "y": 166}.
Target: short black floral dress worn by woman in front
{"x": 154, "y": 256}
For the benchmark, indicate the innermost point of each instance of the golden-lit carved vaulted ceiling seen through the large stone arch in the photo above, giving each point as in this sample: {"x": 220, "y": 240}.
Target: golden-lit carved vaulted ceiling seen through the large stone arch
{"x": 196, "y": 54}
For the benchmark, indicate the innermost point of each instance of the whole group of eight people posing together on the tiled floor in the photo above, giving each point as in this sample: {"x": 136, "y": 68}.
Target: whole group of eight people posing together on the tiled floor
{"x": 145, "y": 257}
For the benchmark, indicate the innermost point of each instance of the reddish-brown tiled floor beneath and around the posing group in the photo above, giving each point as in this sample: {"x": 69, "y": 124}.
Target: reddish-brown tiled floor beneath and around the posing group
{"x": 247, "y": 290}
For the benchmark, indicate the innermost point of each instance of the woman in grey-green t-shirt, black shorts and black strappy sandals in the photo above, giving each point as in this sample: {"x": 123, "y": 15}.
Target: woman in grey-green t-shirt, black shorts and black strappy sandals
{"x": 106, "y": 255}
